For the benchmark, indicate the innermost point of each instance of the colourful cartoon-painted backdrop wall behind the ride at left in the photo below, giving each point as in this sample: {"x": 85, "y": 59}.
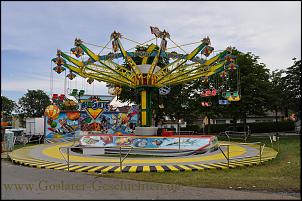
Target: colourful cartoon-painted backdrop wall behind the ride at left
{"x": 70, "y": 124}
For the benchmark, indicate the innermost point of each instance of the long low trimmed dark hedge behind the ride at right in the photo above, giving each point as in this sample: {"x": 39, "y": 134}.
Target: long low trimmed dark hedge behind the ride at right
{"x": 261, "y": 127}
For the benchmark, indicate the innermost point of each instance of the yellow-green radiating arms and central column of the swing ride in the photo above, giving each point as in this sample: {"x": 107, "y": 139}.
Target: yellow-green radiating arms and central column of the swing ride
{"x": 145, "y": 76}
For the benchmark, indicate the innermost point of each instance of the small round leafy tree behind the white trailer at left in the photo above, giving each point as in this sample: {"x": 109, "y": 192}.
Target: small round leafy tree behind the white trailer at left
{"x": 33, "y": 103}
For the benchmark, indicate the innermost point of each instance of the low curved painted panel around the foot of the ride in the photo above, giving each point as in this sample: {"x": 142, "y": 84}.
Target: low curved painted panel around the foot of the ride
{"x": 146, "y": 145}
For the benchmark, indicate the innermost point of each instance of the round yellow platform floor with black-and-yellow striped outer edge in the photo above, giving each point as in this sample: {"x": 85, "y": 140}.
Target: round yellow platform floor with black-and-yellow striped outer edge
{"x": 49, "y": 156}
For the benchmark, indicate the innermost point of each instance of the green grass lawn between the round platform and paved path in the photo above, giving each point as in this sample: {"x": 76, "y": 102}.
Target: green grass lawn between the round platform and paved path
{"x": 280, "y": 174}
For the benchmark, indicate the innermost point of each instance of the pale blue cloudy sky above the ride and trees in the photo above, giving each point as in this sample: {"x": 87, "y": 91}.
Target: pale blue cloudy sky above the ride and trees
{"x": 31, "y": 32}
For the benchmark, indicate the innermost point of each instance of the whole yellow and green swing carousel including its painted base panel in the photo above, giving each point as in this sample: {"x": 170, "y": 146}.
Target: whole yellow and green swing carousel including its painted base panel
{"x": 146, "y": 77}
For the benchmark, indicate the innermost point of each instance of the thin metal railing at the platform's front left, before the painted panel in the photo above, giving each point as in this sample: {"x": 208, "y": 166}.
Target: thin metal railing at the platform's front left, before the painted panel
{"x": 121, "y": 160}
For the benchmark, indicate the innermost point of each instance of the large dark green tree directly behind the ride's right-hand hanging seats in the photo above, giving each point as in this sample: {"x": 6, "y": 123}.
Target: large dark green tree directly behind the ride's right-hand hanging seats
{"x": 253, "y": 80}
